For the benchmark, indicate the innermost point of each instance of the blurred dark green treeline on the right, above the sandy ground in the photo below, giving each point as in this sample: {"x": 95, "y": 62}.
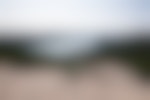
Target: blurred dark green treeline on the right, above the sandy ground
{"x": 136, "y": 52}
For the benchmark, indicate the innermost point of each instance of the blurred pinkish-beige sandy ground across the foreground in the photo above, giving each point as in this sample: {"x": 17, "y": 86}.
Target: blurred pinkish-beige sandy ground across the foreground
{"x": 111, "y": 82}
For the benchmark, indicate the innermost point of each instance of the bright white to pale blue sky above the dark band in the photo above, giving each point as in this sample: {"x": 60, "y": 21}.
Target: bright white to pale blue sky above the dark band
{"x": 72, "y": 14}
